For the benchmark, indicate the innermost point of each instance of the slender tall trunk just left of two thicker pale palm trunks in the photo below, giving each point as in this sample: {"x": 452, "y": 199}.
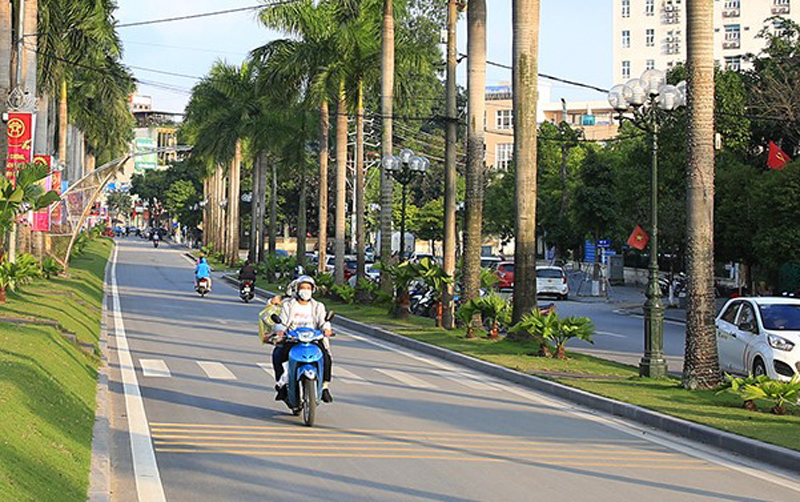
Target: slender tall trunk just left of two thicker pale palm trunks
{"x": 450, "y": 173}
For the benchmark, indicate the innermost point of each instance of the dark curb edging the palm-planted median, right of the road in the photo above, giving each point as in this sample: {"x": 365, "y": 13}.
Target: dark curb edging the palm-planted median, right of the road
{"x": 777, "y": 456}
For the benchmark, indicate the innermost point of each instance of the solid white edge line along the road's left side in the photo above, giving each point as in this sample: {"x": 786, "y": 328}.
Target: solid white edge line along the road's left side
{"x": 145, "y": 467}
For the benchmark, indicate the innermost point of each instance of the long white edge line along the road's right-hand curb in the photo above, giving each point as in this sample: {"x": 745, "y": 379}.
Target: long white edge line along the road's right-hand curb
{"x": 696, "y": 450}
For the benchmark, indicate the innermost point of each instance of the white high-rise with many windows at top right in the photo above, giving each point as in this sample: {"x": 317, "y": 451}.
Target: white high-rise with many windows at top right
{"x": 652, "y": 33}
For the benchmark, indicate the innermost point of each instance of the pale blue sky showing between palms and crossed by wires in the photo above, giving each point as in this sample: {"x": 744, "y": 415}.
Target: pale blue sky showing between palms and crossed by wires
{"x": 575, "y": 43}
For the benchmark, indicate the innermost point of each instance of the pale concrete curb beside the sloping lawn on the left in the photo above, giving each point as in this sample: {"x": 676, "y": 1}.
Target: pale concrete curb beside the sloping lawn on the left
{"x": 100, "y": 469}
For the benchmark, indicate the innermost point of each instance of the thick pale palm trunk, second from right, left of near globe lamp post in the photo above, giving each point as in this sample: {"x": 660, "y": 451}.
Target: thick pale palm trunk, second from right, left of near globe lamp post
{"x": 526, "y": 66}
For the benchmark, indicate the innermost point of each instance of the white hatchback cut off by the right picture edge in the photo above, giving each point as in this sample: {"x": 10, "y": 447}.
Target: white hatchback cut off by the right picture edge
{"x": 760, "y": 336}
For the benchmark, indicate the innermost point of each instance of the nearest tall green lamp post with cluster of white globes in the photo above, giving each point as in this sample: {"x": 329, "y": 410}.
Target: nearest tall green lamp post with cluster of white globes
{"x": 643, "y": 102}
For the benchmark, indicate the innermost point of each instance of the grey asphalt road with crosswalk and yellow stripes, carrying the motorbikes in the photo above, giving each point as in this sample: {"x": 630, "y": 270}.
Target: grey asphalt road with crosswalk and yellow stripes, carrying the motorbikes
{"x": 193, "y": 418}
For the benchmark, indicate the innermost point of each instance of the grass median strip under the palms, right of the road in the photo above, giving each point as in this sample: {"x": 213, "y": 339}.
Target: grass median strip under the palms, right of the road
{"x": 595, "y": 375}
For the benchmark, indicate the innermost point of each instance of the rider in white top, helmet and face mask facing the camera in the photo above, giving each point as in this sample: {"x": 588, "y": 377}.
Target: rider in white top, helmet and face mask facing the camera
{"x": 302, "y": 311}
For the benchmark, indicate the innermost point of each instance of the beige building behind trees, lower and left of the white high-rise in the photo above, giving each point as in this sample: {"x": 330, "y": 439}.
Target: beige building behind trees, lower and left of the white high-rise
{"x": 594, "y": 118}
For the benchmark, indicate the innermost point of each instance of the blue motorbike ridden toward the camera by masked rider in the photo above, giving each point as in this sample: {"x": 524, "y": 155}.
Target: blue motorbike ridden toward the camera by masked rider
{"x": 305, "y": 370}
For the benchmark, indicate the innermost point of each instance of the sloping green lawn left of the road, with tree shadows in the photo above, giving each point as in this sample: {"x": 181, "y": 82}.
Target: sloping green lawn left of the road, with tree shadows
{"x": 47, "y": 383}
